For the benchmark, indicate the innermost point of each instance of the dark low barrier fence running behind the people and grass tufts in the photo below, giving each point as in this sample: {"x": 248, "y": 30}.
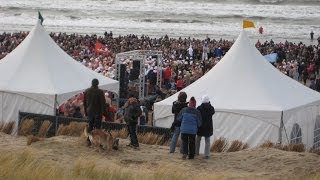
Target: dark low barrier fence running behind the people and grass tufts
{"x": 59, "y": 120}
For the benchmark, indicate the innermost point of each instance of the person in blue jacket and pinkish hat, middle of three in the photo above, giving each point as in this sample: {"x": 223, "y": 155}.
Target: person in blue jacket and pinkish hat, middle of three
{"x": 191, "y": 120}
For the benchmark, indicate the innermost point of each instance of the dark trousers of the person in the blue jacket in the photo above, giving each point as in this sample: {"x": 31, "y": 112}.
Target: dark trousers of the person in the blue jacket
{"x": 188, "y": 144}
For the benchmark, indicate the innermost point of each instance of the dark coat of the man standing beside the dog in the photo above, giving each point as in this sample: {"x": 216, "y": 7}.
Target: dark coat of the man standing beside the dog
{"x": 94, "y": 102}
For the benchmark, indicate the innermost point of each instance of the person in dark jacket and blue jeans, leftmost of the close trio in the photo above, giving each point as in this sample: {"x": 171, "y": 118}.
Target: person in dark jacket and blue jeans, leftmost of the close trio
{"x": 175, "y": 127}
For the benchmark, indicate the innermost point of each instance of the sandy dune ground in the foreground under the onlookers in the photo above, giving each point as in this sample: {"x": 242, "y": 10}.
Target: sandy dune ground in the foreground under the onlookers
{"x": 69, "y": 152}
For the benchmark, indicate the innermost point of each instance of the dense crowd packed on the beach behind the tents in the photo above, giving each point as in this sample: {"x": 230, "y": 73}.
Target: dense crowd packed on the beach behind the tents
{"x": 184, "y": 59}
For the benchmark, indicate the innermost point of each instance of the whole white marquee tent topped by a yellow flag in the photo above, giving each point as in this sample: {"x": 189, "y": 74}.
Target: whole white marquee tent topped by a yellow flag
{"x": 254, "y": 101}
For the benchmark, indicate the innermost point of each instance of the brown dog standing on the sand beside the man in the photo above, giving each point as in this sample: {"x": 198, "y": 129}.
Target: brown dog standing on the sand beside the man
{"x": 101, "y": 138}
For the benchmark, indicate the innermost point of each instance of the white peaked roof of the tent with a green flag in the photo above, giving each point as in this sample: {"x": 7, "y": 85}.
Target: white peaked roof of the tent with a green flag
{"x": 39, "y": 65}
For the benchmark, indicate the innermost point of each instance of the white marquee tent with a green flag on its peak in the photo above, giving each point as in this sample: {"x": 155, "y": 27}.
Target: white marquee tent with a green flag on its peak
{"x": 38, "y": 75}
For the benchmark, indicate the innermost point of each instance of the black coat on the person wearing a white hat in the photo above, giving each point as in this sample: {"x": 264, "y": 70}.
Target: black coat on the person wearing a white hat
{"x": 206, "y": 110}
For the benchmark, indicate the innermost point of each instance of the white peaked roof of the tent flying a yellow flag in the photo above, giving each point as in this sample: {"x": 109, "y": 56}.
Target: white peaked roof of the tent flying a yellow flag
{"x": 244, "y": 80}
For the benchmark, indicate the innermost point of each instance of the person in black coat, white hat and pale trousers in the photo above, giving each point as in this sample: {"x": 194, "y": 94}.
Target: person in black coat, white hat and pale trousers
{"x": 206, "y": 129}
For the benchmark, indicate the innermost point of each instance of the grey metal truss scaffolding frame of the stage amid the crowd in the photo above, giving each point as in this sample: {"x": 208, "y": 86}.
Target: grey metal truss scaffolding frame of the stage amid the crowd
{"x": 141, "y": 55}
